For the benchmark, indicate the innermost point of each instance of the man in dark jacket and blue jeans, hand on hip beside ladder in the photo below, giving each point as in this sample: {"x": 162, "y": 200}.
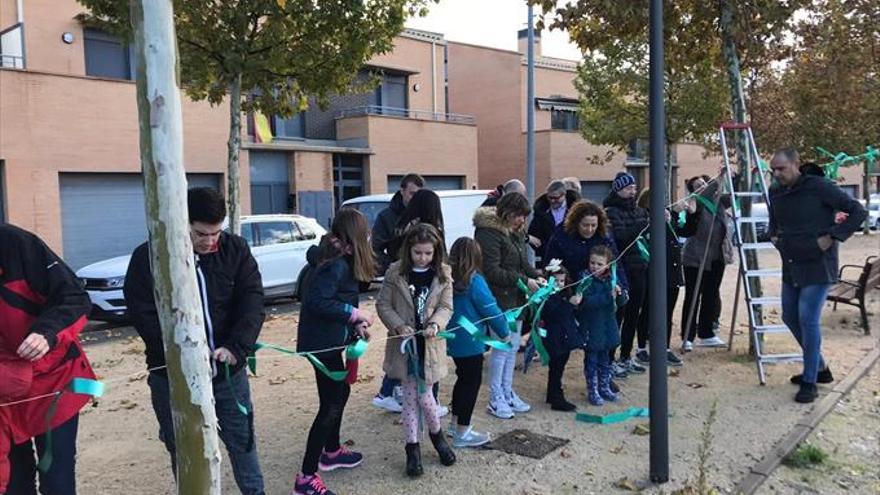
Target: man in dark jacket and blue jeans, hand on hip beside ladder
{"x": 802, "y": 210}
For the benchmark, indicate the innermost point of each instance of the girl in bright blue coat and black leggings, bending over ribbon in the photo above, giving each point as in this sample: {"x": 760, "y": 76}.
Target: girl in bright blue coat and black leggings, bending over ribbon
{"x": 472, "y": 299}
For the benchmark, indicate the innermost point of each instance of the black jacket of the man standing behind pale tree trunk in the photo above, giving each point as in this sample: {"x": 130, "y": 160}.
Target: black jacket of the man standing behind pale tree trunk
{"x": 234, "y": 293}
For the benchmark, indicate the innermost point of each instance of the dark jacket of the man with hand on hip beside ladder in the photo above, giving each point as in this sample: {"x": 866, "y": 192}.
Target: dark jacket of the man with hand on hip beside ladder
{"x": 802, "y": 213}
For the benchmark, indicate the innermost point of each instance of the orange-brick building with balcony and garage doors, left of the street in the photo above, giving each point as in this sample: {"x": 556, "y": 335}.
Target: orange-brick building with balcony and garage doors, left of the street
{"x": 69, "y": 156}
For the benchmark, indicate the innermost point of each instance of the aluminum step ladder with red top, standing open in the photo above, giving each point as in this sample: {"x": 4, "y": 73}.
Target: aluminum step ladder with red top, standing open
{"x": 746, "y": 239}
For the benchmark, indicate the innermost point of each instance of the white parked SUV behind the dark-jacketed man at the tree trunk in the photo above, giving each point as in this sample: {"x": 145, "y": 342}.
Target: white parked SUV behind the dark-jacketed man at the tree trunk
{"x": 278, "y": 242}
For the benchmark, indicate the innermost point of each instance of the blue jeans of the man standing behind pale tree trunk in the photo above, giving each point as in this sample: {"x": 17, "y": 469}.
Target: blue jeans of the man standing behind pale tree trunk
{"x": 236, "y": 429}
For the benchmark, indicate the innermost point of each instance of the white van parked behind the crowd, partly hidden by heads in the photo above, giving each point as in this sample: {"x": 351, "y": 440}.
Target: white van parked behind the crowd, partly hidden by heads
{"x": 458, "y": 210}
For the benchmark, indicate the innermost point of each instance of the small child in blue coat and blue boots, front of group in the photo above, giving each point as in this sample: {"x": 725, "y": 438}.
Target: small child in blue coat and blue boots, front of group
{"x": 597, "y": 318}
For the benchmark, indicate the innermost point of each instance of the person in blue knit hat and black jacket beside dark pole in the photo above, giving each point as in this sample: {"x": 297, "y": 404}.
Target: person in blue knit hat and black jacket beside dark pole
{"x": 628, "y": 222}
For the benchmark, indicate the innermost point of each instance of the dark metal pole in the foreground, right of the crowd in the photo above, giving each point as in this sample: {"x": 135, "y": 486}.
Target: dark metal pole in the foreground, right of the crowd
{"x": 658, "y": 394}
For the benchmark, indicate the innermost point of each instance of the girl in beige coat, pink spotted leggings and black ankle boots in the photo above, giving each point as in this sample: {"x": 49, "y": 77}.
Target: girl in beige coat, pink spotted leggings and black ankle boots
{"x": 414, "y": 304}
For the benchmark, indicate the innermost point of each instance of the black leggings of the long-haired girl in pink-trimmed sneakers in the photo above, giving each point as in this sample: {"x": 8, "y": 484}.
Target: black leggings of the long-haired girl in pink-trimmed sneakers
{"x": 324, "y": 434}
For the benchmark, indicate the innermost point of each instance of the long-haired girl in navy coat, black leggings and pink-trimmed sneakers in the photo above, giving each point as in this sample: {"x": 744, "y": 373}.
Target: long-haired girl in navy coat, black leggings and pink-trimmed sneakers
{"x": 329, "y": 319}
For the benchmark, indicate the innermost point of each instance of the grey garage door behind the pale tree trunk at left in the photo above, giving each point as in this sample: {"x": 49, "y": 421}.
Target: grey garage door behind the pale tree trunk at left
{"x": 102, "y": 215}
